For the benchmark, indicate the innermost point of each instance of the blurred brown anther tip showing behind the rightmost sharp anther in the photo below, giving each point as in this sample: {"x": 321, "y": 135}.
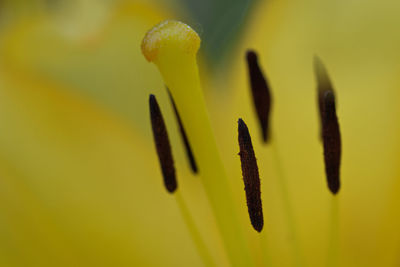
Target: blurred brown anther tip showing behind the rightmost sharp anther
{"x": 324, "y": 85}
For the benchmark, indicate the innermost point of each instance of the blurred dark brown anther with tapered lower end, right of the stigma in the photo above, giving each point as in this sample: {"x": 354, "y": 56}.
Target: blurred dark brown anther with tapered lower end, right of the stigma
{"x": 260, "y": 92}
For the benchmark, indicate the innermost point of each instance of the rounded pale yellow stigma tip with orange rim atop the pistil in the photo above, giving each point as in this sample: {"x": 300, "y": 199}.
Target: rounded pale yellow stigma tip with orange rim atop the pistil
{"x": 170, "y": 34}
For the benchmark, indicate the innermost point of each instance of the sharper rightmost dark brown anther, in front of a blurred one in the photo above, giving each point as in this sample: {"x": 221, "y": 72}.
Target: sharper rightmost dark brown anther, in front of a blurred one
{"x": 332, "y": 142}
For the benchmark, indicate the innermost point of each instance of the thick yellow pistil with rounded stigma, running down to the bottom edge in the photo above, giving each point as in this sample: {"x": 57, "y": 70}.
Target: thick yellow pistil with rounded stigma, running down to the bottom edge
{"x": 173, "y": 46}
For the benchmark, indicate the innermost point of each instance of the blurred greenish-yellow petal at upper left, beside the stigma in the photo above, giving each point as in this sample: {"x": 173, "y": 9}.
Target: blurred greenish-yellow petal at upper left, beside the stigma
{"x": 105, "y": 65}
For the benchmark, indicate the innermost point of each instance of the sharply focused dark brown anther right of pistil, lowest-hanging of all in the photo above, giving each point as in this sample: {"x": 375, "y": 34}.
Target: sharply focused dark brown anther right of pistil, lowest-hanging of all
{"x": 250, "y": 177}
